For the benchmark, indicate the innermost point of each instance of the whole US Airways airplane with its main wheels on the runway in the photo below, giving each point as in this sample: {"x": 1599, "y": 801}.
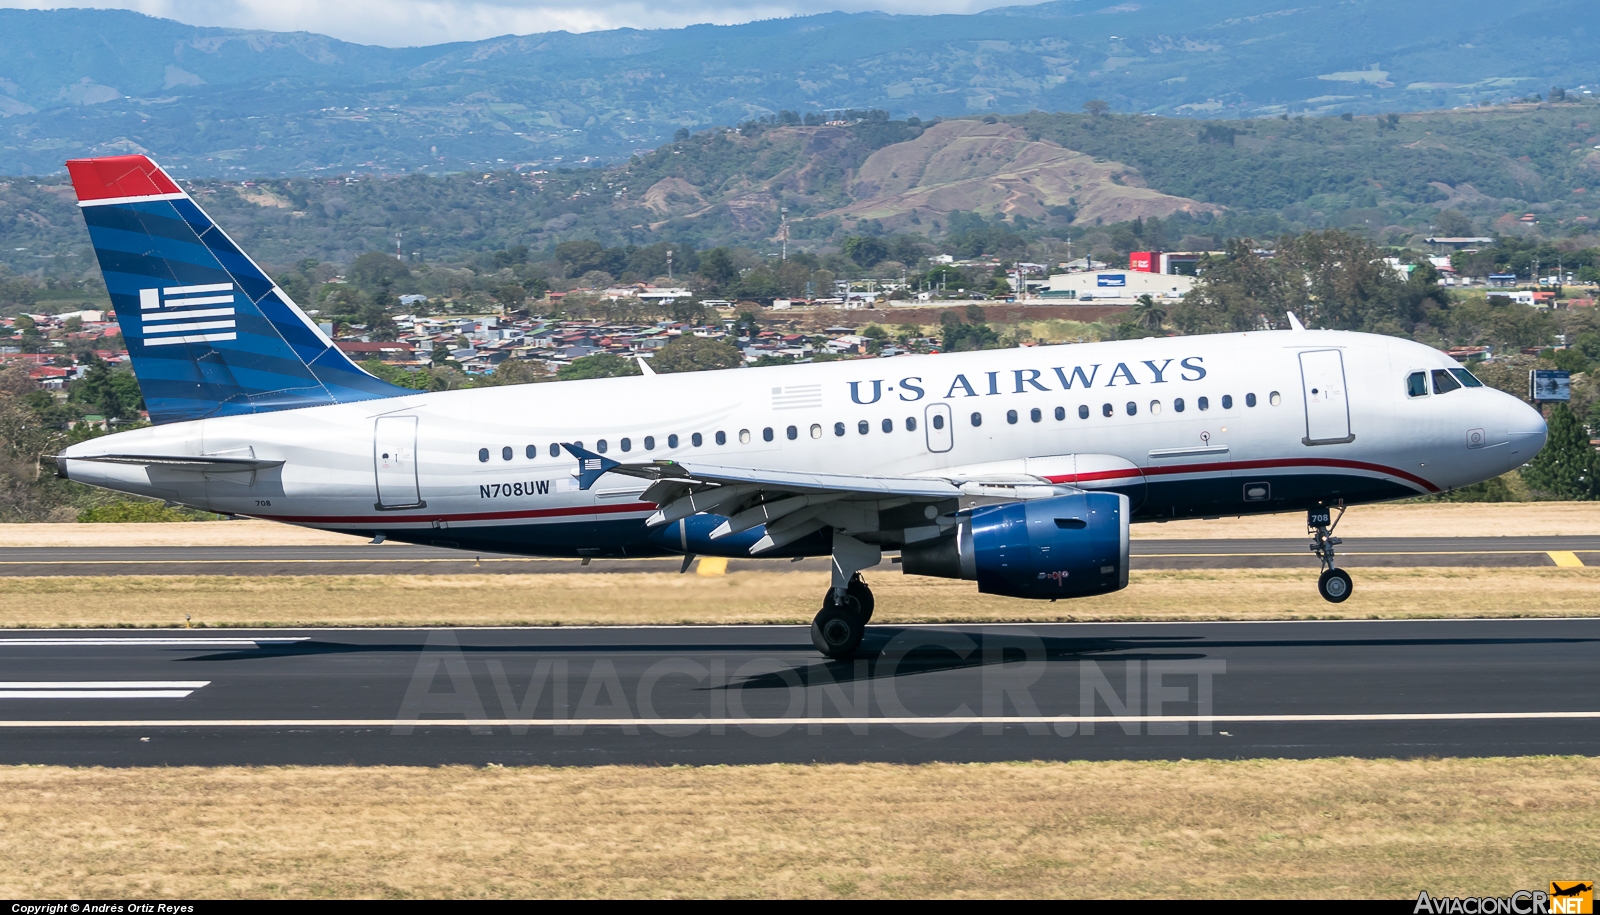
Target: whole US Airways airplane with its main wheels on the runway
{"x": 1017, "y": 469}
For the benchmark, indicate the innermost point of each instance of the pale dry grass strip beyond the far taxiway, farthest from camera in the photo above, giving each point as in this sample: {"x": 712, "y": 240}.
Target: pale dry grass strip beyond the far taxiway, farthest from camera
{"x": 1402, "y": 521}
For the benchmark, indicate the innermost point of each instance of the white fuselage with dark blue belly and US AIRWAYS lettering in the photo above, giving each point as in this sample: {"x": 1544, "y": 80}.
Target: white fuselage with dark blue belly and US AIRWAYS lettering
{"x": 1270, "y": 438}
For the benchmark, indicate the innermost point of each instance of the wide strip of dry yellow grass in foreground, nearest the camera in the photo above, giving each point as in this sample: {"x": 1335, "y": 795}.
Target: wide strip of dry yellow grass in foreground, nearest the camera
{"x": 1194, "y": 829}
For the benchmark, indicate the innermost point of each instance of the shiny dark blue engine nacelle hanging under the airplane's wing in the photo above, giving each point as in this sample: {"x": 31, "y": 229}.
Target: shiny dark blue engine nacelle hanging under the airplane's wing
{"x": 1070, "y": 546}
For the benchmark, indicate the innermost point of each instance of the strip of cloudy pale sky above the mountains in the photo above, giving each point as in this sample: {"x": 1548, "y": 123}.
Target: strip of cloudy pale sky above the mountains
{"x": 409, "y": 23}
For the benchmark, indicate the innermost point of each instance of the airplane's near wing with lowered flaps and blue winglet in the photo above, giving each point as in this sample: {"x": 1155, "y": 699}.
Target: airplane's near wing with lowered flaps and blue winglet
{"x": 798, "y": 503}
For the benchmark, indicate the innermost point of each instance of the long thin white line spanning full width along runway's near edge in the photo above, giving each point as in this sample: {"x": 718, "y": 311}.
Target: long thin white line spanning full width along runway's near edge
{"x": 758, "y": 722}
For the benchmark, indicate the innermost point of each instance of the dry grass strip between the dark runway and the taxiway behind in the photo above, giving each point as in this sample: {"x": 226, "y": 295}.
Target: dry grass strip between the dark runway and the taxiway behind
{"x": 770, "y": 597}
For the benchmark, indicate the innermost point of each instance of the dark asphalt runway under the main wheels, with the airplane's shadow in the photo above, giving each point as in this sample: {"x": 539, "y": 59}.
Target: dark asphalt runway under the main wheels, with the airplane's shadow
{"x": 761, "y": 693}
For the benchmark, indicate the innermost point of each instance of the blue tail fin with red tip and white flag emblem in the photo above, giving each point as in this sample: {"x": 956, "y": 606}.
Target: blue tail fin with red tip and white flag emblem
{"x": 210, "y": 335}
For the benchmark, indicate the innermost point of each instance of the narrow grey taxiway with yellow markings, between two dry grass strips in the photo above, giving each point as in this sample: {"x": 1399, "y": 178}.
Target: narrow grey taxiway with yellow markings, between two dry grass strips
{"x": 402, "y": 559}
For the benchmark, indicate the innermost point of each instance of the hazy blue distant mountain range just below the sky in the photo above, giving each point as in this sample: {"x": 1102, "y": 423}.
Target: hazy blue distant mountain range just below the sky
{"x": 228, "y": 102}
